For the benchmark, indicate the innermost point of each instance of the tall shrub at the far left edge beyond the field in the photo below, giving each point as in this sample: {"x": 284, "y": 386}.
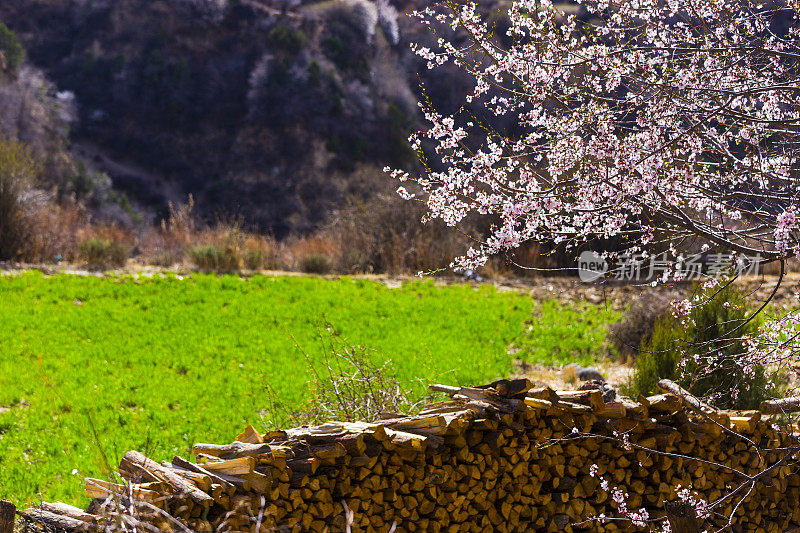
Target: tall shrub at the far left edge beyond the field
{"x": 17, "y": 172}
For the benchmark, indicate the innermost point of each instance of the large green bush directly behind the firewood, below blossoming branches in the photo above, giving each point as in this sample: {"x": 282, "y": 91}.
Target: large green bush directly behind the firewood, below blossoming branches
{"x": 714, "y": 373}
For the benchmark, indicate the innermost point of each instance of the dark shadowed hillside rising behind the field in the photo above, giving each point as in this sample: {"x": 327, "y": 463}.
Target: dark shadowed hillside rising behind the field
{"x": 272, "y": 113}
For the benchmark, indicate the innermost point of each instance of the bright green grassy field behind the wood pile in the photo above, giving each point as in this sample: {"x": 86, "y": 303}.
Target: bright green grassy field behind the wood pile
{"x": 92, "y": 367}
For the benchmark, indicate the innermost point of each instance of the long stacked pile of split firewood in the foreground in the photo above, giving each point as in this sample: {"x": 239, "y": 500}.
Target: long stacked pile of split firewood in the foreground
{"x": 504, "y": 457}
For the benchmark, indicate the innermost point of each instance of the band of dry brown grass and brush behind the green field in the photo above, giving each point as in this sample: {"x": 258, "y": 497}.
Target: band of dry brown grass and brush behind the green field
{"x": 382, "y": 235}
